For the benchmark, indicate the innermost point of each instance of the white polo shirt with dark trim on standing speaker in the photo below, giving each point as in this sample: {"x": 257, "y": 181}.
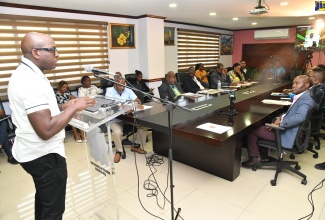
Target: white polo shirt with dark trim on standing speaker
{"x": 30, "y": 91}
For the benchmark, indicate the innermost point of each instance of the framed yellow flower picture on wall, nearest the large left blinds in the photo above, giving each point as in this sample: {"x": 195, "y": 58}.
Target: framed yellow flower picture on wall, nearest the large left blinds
{"x": 122, "y": 36}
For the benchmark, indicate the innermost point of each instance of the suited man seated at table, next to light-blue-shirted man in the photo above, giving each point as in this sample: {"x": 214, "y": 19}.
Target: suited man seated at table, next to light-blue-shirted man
{"x": 171, "y": 89}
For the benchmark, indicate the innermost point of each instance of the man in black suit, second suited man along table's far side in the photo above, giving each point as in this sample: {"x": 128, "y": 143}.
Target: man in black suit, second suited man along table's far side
{"x": 191, "y": 83}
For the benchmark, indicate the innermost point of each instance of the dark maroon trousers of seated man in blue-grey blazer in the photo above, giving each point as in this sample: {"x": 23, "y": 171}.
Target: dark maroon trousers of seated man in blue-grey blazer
{"x": 260, "y": 133}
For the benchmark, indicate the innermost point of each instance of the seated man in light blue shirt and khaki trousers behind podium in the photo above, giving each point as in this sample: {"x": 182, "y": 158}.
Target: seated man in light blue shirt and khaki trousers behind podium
{"x": 120, "y": 92}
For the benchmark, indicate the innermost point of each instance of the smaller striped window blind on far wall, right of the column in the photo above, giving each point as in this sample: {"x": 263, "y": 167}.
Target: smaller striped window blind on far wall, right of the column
{"x": 197, "y": 47}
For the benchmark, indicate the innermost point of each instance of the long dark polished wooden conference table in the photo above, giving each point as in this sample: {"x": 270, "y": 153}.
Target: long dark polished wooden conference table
{"x": 218, "y": 154}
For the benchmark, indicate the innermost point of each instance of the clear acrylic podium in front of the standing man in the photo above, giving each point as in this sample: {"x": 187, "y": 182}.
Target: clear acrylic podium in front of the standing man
{"x": 96, "y": 193}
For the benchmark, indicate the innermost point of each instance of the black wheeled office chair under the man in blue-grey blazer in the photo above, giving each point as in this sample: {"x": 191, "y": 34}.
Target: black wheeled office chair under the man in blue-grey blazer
{"x": 300, "y": 145}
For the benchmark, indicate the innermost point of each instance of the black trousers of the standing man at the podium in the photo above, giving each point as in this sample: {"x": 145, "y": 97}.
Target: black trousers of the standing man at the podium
{"x": 50, "y": 177}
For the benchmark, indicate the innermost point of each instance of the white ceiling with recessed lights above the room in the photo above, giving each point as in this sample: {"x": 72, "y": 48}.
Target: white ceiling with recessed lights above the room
{"x": 197, "y": 12}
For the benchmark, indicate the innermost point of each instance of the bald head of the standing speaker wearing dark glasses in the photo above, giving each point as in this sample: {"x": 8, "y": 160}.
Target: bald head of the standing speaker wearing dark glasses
{"x": 40, "y": 49}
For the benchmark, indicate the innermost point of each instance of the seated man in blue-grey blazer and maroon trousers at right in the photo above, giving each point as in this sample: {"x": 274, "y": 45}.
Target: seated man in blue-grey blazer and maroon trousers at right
{"x": 290, "y": 121}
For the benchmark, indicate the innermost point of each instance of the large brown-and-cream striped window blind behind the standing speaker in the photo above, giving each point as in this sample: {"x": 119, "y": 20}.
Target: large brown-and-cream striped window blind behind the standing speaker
{"x": 79, "y": 43}
